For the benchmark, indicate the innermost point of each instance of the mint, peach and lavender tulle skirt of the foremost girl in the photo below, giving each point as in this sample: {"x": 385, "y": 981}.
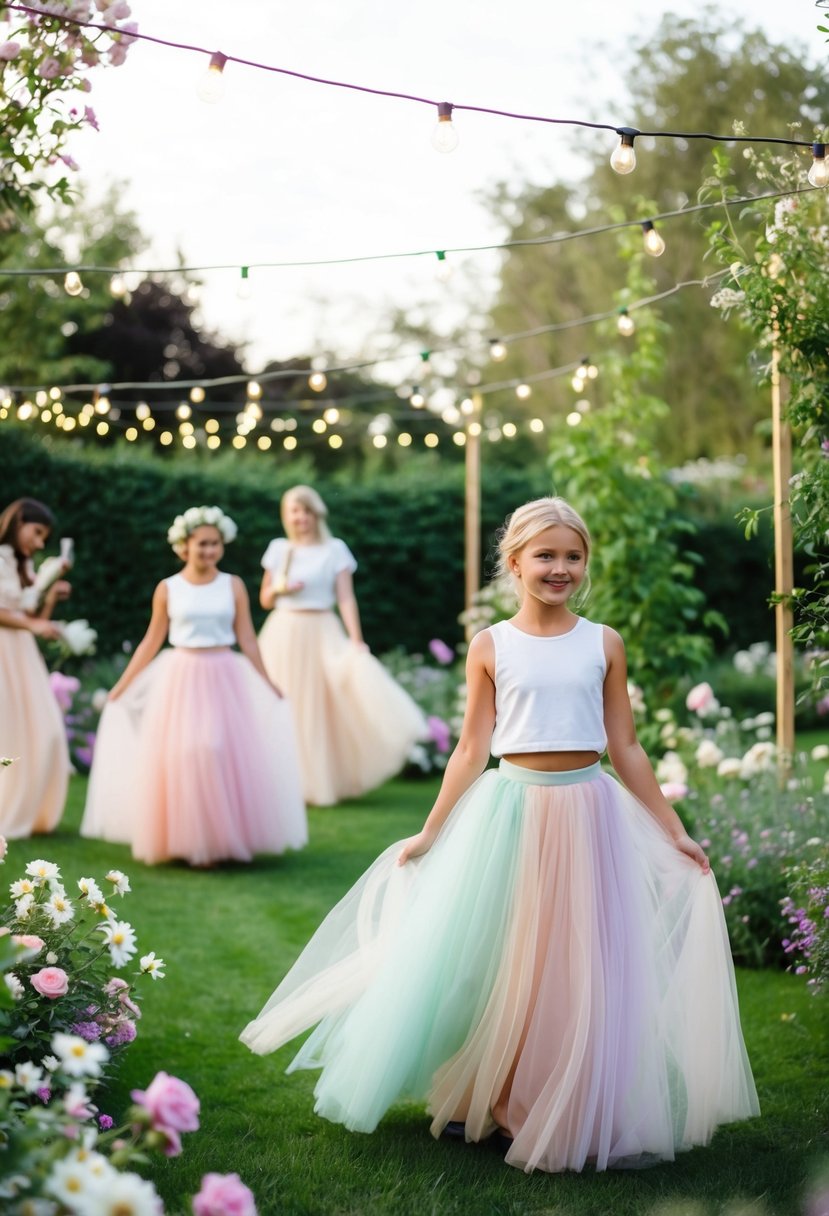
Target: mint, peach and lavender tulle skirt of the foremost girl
{"x": 554, "y": 966}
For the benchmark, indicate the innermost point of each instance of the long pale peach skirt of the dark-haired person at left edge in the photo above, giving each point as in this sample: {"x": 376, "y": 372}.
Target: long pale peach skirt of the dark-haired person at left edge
{"x": 32, "y": 734}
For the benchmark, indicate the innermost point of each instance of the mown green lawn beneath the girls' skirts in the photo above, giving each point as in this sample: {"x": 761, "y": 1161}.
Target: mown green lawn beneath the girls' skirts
{"x": 229, "y": 936}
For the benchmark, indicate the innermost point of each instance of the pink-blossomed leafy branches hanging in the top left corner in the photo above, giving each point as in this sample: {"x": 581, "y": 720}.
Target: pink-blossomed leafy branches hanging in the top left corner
{"x": 44, "y": 70}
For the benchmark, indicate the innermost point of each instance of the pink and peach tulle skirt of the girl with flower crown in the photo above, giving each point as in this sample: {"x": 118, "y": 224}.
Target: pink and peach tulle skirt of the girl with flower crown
{"x": 198, "y": 761}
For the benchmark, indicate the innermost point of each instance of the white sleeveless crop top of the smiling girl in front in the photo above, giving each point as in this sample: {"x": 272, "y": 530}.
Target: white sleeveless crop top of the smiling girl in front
{"x": 549, "y": 691}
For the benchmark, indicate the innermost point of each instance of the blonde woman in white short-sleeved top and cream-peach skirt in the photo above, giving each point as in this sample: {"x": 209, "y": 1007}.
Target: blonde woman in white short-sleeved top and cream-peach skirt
{"x": 356, "y": 724}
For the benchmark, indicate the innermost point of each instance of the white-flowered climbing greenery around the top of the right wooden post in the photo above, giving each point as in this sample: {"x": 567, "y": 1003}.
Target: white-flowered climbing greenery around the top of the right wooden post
{"x": 780, "y": 292}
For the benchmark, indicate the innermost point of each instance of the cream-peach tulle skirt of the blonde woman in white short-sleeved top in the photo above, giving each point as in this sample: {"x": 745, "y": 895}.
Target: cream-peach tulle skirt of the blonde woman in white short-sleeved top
{"x": 356, "y": 724}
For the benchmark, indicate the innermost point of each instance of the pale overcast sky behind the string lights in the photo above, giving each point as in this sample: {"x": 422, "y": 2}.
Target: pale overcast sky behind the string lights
{"x": 283, "y": 170}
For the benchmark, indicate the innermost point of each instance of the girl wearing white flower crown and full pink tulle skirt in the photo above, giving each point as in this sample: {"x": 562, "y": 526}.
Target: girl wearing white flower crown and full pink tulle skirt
{"x": 196, "y": 756}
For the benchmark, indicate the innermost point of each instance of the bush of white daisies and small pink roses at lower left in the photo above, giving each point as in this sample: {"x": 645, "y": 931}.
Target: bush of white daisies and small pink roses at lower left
{"x": 61, "y": 981}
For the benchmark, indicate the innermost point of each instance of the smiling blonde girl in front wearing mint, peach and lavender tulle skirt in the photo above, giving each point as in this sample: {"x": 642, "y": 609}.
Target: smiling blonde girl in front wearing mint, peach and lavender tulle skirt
{"x": 548, "y": 960}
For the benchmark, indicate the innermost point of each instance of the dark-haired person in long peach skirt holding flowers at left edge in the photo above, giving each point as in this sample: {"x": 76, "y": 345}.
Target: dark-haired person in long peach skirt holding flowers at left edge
{"x": 32, "y": 733}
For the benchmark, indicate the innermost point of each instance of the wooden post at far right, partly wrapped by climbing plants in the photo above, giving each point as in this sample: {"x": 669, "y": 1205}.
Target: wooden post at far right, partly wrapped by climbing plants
{"x": 783, "y": 576}
